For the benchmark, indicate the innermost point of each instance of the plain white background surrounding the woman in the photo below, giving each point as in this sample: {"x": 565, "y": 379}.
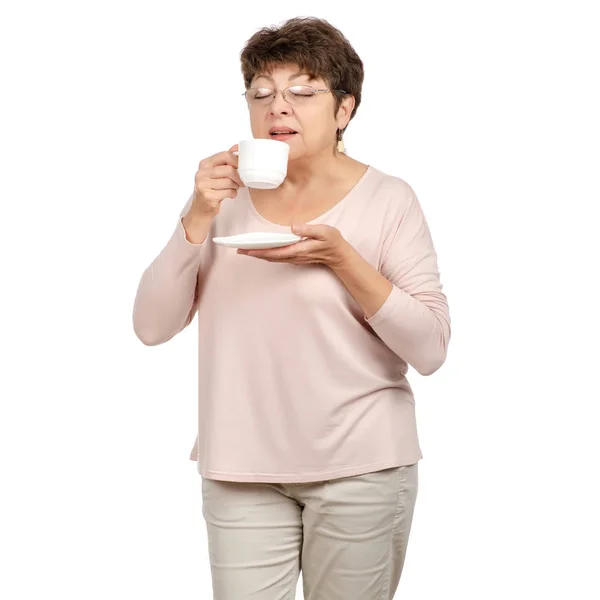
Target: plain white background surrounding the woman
{"x": 489, "y": 110}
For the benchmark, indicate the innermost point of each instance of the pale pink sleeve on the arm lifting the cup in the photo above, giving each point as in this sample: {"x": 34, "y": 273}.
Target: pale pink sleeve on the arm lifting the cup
{"x": 168, "y": 292}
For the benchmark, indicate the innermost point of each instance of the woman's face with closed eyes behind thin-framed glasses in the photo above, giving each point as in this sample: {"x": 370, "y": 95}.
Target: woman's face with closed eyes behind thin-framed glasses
{"x": 312, "y": 117}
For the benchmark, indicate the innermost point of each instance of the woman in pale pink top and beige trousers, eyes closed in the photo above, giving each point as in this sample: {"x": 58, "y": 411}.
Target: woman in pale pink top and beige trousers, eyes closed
{"x": 307, "y": 441}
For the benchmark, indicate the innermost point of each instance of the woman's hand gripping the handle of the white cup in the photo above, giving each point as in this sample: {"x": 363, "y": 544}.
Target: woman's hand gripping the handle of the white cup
{"x": 216, "y": 179}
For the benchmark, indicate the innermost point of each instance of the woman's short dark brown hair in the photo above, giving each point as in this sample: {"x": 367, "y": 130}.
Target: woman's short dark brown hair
{"x": 316, "y": 46}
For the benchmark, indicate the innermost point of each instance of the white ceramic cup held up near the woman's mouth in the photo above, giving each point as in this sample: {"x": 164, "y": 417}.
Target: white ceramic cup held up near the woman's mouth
{"x": 262, "y": 163}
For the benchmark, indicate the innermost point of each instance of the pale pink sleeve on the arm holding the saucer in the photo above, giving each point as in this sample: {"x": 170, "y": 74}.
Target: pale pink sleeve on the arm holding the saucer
{"x": 414, "y": 320}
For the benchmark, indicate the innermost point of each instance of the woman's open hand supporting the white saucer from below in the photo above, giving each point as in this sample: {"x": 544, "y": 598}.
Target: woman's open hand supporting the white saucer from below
{"x": 323, "y": 245}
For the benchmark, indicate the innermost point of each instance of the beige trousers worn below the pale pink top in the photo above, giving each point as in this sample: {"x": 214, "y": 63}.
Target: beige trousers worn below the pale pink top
{"x": 347, "y": 536}
